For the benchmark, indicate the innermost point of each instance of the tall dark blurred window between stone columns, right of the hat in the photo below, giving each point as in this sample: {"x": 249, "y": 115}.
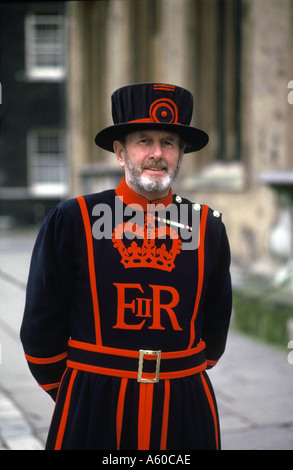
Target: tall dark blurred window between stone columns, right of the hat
{"x": 219, "y": 59}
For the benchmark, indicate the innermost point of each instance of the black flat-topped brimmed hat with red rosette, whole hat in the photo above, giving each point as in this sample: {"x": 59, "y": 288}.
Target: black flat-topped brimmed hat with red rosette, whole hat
{"x": 152, "y": 106}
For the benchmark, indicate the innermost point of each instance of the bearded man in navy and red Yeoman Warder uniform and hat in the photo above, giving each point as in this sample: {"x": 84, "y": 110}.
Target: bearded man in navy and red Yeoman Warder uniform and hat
{"x": 129, "y": 293}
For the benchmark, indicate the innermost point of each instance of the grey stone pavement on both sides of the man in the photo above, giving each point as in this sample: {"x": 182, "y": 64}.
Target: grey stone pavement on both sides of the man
{"x": 253, "y": 381}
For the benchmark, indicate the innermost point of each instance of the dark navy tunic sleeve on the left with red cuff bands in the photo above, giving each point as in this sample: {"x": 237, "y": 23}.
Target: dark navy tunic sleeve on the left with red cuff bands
{"x": 45, "y": 326}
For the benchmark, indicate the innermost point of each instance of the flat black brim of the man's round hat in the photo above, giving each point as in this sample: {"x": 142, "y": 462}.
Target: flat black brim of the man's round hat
{"x": 194, "y": 138}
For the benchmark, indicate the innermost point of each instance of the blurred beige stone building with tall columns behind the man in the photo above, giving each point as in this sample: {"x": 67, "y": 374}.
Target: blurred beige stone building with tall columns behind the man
{"x": 235, "y": 56}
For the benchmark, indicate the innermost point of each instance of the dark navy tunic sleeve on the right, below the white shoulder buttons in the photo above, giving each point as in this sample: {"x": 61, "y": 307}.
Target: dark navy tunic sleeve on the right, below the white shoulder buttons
{"x": 218, "y": 303}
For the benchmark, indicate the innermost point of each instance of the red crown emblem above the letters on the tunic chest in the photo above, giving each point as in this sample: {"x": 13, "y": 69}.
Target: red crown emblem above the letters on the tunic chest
{"x": 149, "y": 251}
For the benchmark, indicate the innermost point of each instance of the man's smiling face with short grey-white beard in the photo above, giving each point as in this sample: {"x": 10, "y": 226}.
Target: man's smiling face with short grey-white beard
{"x": 151, "y": 160}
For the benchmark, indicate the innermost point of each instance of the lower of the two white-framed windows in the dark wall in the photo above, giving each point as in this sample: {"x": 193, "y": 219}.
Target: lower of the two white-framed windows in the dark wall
{"x": 47, "y": 163}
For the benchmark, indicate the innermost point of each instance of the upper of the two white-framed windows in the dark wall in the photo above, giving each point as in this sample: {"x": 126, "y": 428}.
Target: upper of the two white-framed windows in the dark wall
{"x": 45, "y": 47}
